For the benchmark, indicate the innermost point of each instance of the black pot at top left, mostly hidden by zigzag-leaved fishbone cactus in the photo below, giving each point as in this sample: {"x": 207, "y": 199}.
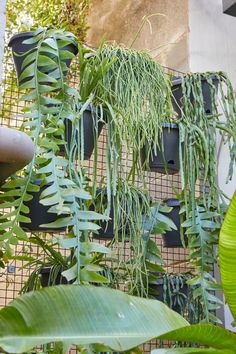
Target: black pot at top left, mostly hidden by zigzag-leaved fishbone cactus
{"x": 19, "y": 48}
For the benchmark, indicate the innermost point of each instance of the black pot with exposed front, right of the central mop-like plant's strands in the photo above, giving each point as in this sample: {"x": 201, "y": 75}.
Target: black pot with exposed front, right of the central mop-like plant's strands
{"x": 167, "y": 162}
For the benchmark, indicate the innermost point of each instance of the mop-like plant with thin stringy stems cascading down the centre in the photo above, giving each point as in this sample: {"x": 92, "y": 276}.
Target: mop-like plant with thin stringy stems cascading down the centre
{"x": 134, "y": 97}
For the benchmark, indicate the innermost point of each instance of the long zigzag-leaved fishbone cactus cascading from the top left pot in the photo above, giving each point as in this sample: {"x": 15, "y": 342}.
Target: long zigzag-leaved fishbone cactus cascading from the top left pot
{"x": 43, "y": 77}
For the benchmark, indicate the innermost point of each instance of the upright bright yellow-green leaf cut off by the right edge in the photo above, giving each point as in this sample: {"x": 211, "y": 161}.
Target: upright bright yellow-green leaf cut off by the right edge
{"x": 227, "y": 254}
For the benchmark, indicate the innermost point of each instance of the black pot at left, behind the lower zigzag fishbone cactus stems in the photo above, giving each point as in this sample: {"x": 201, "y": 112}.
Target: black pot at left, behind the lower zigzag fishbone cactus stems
{"x": 39, "y": 214}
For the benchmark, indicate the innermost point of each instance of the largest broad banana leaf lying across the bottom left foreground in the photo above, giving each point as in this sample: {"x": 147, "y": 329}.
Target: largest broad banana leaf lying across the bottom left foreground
{"x": 83, "y": 315}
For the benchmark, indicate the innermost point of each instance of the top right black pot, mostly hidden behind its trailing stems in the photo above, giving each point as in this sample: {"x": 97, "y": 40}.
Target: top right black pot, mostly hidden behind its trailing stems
{"x": 178, "y": 95}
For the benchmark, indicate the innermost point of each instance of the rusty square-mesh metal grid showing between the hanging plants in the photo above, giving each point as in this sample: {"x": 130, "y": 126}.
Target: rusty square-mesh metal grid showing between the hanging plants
{"x": 160, "y": 186}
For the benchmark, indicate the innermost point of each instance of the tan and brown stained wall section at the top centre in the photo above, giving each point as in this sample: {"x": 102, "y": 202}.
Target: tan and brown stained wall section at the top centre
{"x": 121, "y": 19}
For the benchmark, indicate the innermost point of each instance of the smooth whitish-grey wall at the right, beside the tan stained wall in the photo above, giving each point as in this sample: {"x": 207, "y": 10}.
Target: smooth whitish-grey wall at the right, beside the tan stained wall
{"x": 212, "y": 46}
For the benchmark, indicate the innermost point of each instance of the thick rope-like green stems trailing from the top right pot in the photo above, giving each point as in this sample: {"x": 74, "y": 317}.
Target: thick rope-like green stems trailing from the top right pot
{"x": 198, "y": 135}
